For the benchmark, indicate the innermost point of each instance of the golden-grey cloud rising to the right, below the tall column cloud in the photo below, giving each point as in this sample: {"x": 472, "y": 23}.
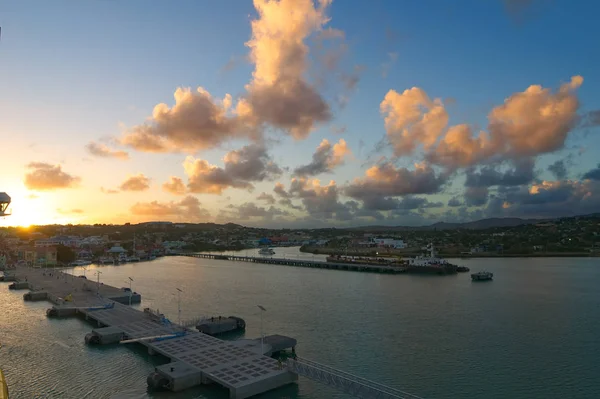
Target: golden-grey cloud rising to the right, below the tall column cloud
{"x": 250, "y": 164}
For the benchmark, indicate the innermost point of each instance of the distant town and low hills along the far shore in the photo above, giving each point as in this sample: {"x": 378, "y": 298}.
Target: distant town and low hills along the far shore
{"x": 58, "y": 245}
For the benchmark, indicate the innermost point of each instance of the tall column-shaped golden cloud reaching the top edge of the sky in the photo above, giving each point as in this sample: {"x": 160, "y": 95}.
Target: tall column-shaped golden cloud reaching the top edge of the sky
{"x": 279, "y": 93}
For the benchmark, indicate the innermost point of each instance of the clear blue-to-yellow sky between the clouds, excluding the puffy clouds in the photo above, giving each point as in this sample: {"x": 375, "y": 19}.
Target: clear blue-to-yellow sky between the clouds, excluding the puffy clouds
{"x": 81, "y": 72}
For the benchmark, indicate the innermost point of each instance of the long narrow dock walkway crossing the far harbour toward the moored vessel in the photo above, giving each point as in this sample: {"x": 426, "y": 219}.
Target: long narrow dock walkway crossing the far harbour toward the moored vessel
{"x": 299, "y": 263}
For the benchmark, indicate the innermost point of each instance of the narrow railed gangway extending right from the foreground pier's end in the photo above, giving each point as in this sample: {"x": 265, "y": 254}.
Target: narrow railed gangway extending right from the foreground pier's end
{"x": 356, "y": 386}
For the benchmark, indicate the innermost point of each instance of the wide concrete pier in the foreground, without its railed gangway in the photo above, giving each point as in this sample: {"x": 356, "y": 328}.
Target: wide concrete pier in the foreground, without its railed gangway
{"x": 195, "y": 358}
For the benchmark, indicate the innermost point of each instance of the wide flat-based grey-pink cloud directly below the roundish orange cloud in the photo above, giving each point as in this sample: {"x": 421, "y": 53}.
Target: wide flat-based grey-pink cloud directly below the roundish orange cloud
{"x": 387, "y": 180}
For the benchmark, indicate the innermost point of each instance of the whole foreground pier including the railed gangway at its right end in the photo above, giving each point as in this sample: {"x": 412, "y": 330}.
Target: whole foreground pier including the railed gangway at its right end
{"x": 244, "y": 367}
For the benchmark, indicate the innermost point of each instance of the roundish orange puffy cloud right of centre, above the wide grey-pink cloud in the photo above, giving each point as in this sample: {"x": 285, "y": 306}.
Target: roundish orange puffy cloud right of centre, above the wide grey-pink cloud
{"x": 412, "y": 119}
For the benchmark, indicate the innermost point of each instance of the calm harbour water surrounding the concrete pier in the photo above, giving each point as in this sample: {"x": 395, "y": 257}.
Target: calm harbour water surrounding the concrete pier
{"x": 531, "y": 333}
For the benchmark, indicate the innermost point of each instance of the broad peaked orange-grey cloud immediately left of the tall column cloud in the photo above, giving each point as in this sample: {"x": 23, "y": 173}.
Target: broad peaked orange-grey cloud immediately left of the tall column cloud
{"x": 195, "y": 122}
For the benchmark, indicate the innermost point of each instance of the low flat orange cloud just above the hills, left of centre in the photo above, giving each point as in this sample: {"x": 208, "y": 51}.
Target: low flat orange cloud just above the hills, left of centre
{"x": 188, "y": 209}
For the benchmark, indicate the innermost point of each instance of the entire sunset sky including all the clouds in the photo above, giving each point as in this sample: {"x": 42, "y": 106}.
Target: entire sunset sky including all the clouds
{"x": 298, "y": 113}
